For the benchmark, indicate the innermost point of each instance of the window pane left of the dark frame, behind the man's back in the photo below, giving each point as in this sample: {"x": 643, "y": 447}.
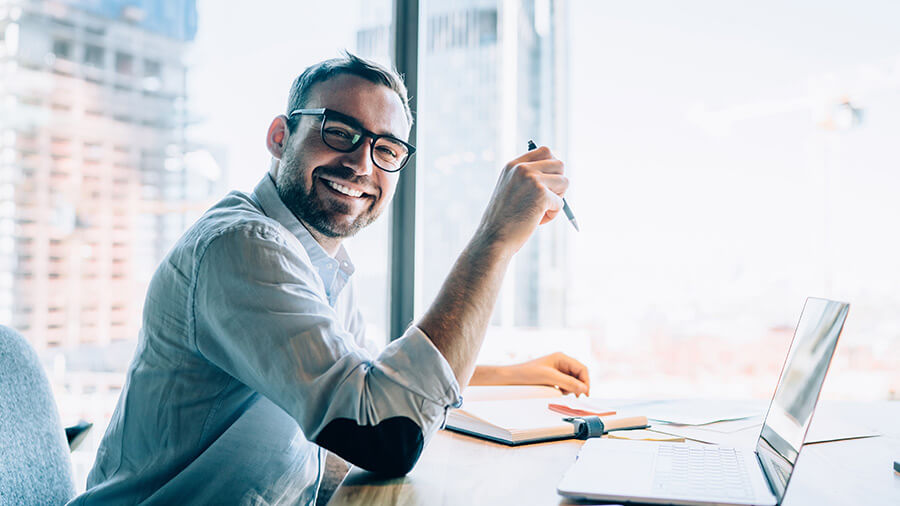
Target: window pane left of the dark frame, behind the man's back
{"x": 100, "y": 175}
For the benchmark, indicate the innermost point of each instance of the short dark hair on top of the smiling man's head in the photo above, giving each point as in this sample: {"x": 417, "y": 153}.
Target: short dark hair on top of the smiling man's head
{"x": 348, "y": 63}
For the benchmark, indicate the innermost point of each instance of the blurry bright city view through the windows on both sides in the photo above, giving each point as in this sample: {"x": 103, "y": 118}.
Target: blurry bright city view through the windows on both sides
{"x": 726, "y": 161}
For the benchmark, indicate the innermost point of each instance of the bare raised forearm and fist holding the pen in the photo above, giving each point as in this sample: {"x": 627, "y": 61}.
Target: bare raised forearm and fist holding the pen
{"x": 528, "y": 193}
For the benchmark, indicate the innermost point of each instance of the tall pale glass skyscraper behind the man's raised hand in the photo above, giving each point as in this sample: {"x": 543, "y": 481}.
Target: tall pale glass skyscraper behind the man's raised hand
{"x": 491, "y": 76}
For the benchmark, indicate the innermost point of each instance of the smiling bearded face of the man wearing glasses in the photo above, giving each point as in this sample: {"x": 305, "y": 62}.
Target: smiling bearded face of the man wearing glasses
{"x": 313, "y": 179}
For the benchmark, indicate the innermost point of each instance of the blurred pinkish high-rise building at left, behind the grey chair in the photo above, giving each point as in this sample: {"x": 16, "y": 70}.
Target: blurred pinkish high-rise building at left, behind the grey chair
{"x": 95, "y": 178}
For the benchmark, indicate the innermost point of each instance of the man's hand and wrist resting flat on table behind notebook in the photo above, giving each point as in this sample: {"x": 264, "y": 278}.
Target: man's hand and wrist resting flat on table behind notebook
{"x": 556, "y": 370}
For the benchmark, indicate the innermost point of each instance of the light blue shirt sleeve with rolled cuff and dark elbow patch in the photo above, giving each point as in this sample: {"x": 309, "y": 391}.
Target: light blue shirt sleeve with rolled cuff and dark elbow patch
{"x": 260, "y": 314}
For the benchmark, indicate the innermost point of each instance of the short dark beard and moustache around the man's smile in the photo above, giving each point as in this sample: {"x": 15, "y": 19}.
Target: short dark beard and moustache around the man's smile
{"x": 311, "y": 208}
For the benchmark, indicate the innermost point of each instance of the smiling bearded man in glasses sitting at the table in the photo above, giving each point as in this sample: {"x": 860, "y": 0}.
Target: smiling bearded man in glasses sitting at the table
{"x": 252, "y": 360}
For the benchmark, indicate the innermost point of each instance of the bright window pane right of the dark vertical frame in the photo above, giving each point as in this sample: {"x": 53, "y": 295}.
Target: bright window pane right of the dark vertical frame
{"x": 717, "y": 183}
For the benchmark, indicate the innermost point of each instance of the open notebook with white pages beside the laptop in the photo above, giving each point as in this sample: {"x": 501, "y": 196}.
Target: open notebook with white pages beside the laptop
{"x": 527, "y": 420}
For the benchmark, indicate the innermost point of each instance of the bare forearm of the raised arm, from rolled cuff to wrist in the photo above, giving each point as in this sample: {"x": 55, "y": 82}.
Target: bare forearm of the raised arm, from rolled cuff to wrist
{"x": 457, "y": 320}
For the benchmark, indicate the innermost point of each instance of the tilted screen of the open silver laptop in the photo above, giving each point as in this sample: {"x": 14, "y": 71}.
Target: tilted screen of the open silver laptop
{"x": 798, "y": 389}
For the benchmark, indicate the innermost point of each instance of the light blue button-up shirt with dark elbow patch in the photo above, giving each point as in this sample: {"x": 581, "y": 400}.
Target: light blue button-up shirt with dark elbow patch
{"x": 251, "y": 348}
